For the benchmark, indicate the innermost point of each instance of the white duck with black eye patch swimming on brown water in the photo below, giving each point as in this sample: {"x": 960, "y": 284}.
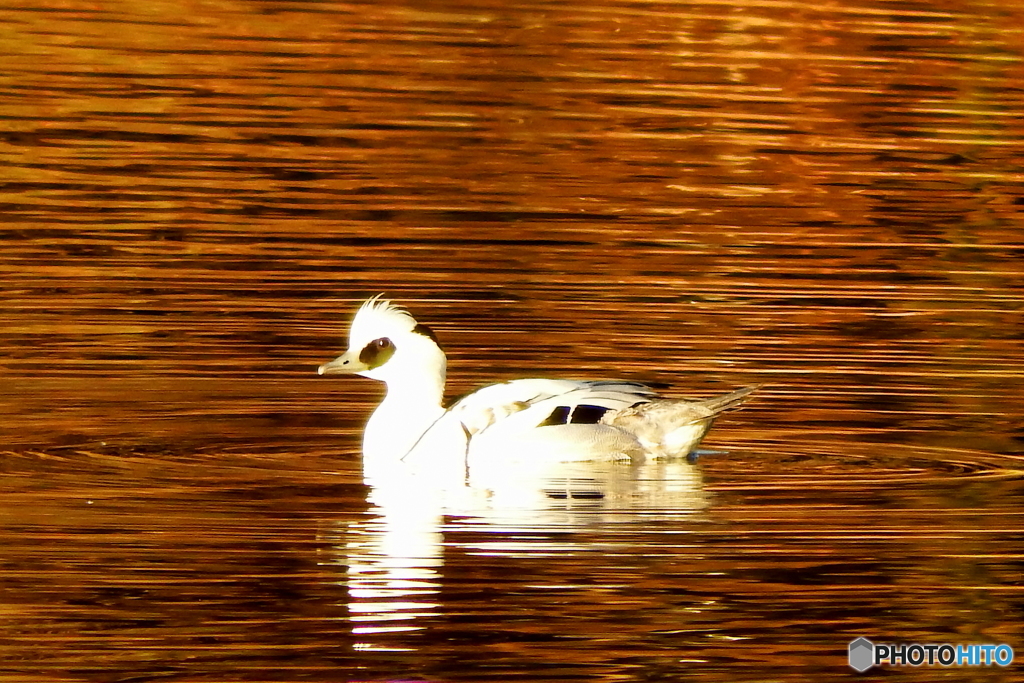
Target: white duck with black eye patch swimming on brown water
{"x": 526, "y": 420}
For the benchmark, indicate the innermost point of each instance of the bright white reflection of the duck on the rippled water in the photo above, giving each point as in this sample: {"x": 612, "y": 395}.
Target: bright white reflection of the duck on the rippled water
{"x": 396, "y": 558}
